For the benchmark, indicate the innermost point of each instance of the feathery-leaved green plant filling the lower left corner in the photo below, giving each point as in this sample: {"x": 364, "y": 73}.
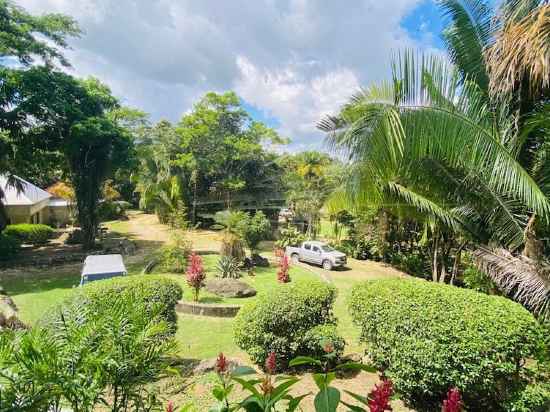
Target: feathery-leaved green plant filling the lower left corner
{"x": 88, "y": 359}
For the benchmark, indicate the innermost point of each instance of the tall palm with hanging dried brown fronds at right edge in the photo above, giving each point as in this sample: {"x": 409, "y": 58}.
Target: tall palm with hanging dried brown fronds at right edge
{"x": 509, "y": 48}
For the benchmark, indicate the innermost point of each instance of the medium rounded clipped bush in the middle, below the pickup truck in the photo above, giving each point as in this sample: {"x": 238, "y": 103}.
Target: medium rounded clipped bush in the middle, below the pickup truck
{"x": 287, "y": 321}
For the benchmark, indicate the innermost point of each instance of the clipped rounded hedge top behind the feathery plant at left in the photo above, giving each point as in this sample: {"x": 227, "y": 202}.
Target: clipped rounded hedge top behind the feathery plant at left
{"x": 156, "y": 292}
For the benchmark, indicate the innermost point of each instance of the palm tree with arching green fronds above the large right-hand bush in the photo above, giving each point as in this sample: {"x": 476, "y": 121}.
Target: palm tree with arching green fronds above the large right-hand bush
{"x": 429, "y": 144}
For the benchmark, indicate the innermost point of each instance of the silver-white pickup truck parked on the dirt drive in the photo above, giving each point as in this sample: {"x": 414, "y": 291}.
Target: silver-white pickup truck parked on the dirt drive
{"x": 318, "y": 253}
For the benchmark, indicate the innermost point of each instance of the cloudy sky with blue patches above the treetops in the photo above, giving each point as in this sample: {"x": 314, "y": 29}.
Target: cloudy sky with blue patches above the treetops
{"x": 292, "y": 62}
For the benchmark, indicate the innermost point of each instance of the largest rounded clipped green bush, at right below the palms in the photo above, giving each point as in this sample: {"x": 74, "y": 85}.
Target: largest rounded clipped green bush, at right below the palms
{"x": 429, "y": 337}
